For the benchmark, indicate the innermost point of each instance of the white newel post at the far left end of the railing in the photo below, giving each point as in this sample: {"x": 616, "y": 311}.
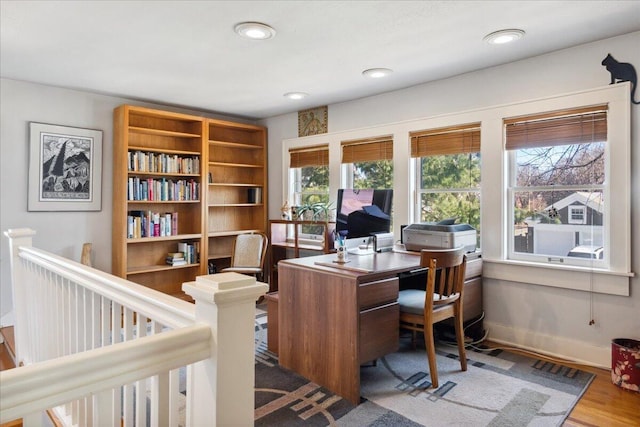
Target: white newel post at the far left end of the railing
{"x": 19, "y": 237}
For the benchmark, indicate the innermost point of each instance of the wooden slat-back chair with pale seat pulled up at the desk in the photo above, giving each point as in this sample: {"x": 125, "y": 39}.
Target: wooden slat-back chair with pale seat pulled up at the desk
{"x": 442, "y": 299}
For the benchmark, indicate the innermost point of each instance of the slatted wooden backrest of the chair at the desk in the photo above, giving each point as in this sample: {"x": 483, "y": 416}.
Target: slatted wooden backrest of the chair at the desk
{"x": 445, "y": 277}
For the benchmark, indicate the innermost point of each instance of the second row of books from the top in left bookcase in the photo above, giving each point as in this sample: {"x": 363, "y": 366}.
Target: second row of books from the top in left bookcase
{"x": 163, "y": 189}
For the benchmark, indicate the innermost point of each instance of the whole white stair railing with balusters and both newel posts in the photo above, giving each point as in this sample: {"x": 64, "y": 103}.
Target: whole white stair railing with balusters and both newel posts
{"x": 100, "y": 350}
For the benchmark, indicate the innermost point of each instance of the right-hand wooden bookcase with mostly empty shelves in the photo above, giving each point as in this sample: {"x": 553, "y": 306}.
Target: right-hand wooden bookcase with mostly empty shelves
{"x": 237, "y": 186}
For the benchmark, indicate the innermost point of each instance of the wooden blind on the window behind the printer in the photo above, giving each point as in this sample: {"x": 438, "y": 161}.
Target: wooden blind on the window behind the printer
{"x": 449, "y": 140}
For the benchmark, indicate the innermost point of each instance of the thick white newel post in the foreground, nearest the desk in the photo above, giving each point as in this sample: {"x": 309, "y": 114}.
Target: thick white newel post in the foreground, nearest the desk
{"x": 220, "y": 390}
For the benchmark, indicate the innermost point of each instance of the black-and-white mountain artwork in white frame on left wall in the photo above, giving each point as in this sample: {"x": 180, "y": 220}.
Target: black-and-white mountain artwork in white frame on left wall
{"x": 65, "y": 168}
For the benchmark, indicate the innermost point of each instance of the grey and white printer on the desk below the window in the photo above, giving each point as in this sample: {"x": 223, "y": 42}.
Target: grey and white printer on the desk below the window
{"x": 430, "y": 235}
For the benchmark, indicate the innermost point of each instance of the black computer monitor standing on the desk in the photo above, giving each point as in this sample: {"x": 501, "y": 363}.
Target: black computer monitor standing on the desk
{"x": 363, "y": 212}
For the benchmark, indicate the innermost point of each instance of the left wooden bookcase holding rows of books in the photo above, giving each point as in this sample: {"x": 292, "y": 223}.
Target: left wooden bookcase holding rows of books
{"x": 164, "y": 151}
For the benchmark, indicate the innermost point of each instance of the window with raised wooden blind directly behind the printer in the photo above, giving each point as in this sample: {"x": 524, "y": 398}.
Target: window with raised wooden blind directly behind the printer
{"x": 448, "y": 174}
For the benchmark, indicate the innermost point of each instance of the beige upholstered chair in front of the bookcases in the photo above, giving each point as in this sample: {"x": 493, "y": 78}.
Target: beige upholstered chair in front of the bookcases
{"x": 248, "y": 254}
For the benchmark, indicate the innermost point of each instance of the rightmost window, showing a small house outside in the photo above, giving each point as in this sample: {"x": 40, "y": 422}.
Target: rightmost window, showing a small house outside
{"x": 557, "y": 164}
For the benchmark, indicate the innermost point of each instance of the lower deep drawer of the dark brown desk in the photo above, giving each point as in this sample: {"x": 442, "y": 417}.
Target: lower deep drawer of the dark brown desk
{"x": 379, "y": 331}
